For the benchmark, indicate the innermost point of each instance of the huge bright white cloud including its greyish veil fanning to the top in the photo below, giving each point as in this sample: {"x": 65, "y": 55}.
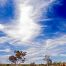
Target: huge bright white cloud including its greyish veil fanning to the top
{"x": 26, "y": 28}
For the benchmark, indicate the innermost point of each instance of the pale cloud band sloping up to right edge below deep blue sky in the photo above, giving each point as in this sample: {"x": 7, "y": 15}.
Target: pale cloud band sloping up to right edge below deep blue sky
{"x": 51, "y": 43}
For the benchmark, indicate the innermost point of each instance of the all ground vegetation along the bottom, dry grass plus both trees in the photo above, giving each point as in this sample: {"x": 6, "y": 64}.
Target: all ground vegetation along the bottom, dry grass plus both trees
{"x": 20, "y": 56}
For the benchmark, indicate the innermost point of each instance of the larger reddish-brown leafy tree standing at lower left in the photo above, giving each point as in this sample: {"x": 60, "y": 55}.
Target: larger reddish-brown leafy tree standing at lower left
{"x": 19, "y": 56}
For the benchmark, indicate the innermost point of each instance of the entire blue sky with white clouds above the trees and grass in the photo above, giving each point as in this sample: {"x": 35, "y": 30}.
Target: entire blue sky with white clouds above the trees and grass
{"x": 35, "y": 26}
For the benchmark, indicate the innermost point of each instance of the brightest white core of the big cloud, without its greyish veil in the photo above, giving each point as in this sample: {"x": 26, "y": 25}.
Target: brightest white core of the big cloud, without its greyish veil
{"x": 26, "y": 28}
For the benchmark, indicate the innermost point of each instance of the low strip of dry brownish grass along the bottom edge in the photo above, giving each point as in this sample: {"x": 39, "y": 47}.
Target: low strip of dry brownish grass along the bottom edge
{"x": 54, "y": 64}
